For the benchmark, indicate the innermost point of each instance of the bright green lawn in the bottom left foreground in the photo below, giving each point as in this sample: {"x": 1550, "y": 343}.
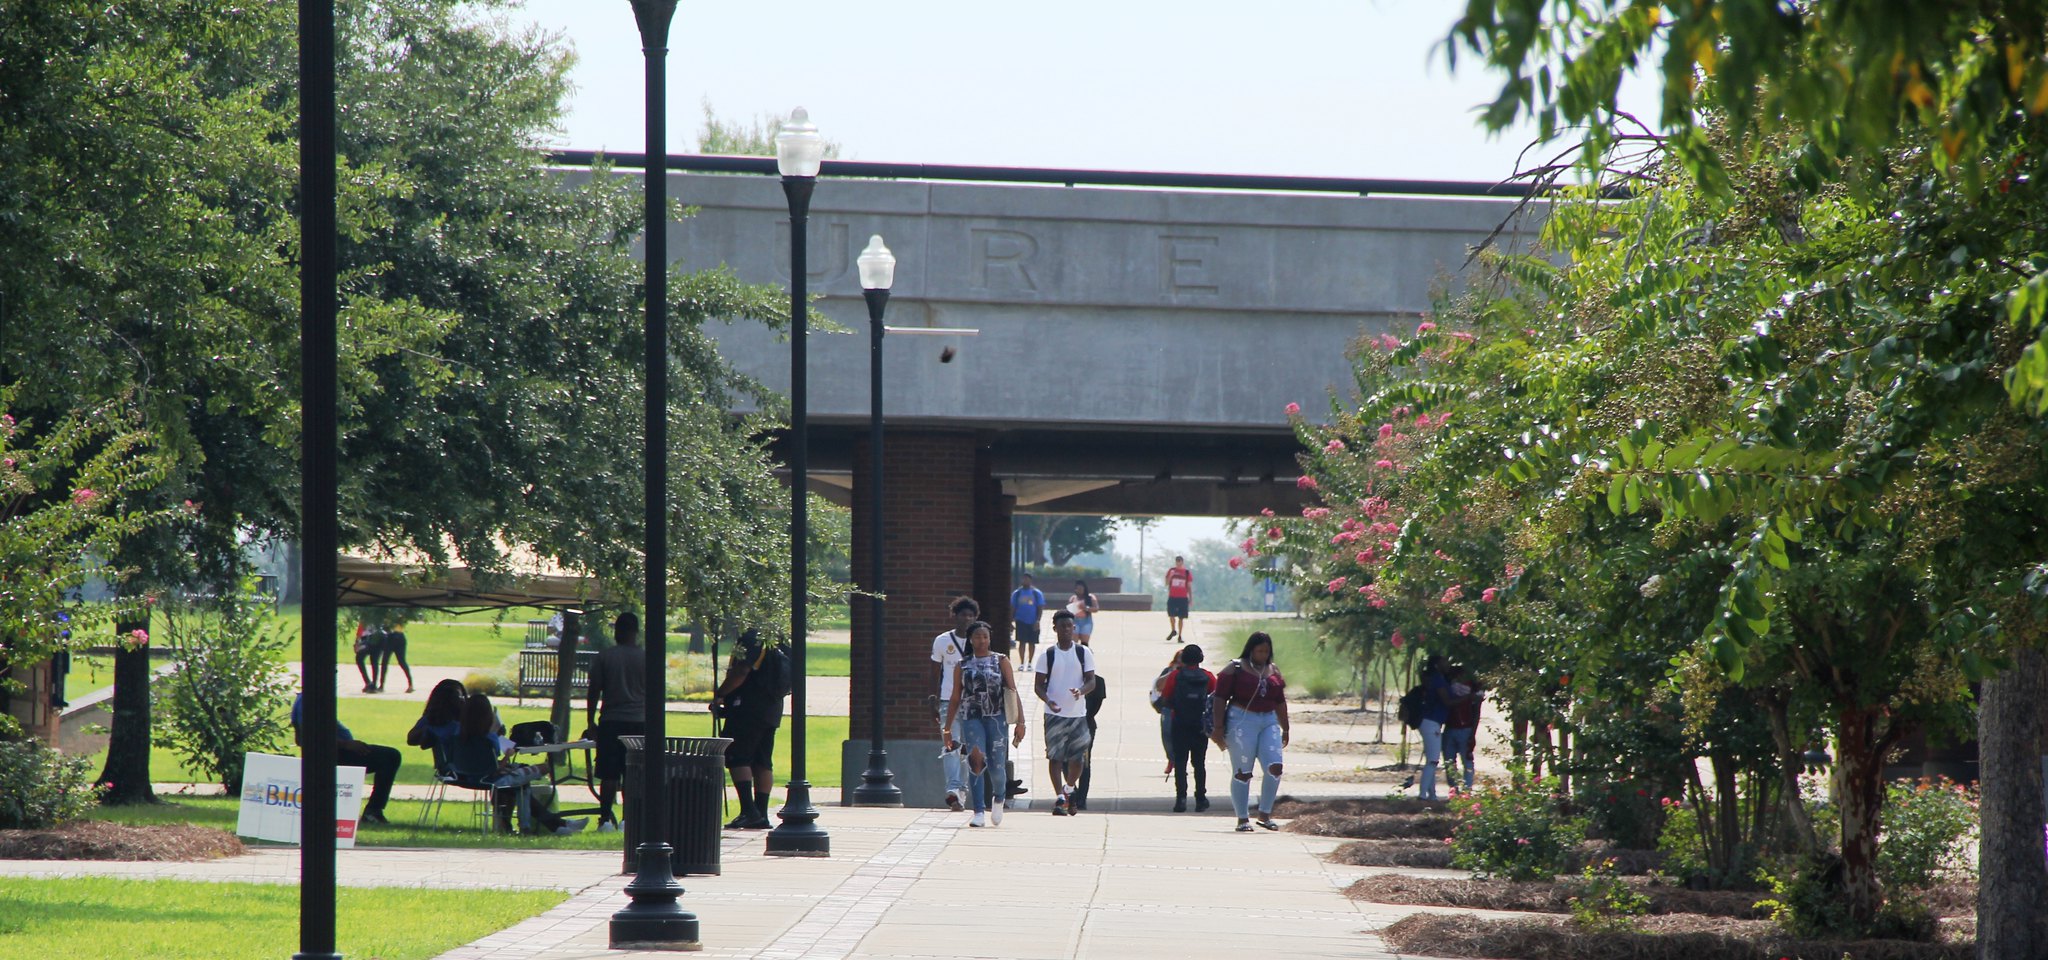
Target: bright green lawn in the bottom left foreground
{"x": 189, "y": 920}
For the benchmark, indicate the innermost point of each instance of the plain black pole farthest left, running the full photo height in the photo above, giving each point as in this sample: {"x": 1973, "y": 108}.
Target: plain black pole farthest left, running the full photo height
{"x": 318, "y": 470}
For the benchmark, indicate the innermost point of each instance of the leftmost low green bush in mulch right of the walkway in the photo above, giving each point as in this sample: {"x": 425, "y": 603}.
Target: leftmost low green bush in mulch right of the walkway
{"x": 1517, "y": 832}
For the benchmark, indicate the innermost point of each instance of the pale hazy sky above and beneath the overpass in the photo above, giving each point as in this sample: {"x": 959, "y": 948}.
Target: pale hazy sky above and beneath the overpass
{"x": 1291, "y": 87}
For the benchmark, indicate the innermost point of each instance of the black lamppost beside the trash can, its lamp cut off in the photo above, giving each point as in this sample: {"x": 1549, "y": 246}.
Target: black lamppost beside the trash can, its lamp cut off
{"x": 654, "y": 920}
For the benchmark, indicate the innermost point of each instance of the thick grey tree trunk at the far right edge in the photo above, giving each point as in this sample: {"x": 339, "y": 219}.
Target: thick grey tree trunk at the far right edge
{"x": 2012, "y": 889}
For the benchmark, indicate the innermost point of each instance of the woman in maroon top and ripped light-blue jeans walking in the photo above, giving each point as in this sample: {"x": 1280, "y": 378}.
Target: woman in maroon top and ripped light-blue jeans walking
{"x": 1252, "y": 726}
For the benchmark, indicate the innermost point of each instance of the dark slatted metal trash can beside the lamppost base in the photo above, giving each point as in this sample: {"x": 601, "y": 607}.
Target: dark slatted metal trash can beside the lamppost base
{"x": 695, "y": 801}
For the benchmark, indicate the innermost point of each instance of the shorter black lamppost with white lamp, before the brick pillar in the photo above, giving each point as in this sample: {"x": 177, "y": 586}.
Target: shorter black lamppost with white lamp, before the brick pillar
{"x": 878, "y": 273}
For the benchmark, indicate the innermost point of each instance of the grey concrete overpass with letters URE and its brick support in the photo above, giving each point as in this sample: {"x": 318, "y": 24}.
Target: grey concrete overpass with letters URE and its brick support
{"x": 1136, "y": 357}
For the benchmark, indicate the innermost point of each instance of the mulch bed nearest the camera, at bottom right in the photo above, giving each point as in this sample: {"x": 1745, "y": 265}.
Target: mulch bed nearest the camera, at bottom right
{"x": 1666, "y": 939}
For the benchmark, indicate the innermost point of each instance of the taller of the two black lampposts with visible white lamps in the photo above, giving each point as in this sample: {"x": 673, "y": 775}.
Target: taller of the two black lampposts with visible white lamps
{"x": 798, "y": 155}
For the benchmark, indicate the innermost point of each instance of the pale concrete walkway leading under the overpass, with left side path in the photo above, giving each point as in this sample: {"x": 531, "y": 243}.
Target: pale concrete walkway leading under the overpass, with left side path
{"x": 1121, "y": 881}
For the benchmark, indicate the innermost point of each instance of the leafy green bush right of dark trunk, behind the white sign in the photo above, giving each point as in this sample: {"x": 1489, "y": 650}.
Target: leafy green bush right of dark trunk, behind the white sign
{"x": 228, "y": 691}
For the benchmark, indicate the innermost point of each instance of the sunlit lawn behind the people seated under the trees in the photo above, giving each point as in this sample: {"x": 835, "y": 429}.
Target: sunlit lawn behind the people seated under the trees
{"x": 386, "y": 722}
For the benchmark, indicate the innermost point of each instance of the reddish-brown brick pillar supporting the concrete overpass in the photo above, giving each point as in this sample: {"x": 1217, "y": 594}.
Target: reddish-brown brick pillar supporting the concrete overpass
{"x": 929, "y": 496}
